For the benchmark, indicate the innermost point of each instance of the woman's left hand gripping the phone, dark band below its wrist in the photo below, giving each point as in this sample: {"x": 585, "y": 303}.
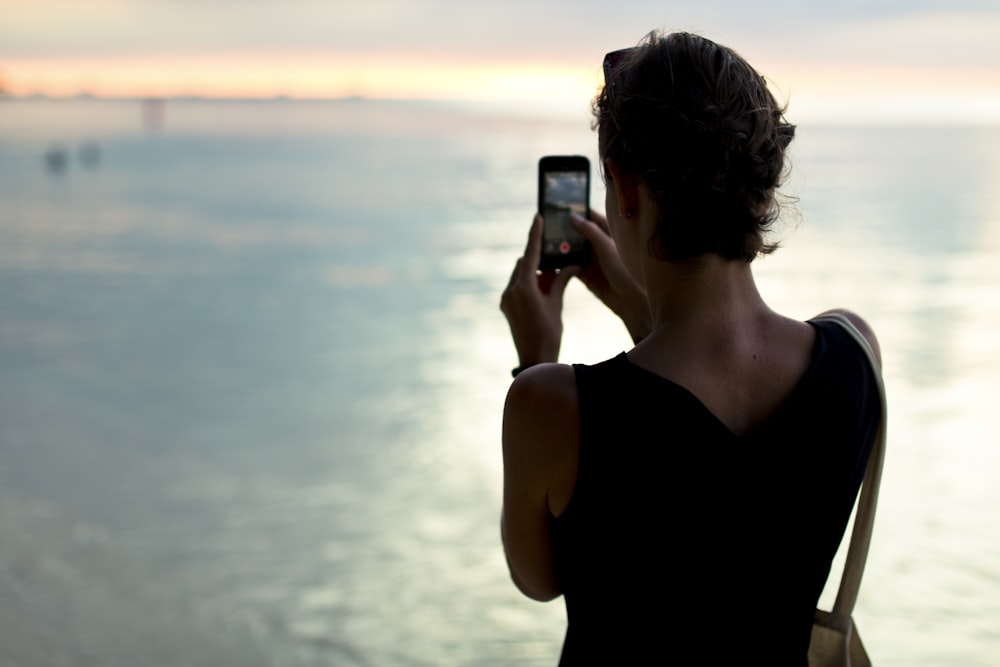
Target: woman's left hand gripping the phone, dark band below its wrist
{"x": 532, "y": 303}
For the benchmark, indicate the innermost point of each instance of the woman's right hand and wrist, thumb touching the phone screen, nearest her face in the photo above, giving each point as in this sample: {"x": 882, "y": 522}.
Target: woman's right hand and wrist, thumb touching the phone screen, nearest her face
{"x": 607, "y": 278}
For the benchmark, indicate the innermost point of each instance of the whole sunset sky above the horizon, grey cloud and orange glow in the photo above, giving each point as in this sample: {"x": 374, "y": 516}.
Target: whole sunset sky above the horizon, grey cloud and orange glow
{"x": 908, "y": 59}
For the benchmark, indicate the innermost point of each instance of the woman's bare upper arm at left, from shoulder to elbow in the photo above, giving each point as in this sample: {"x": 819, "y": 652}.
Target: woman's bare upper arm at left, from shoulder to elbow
{"x": 540, "y": 426}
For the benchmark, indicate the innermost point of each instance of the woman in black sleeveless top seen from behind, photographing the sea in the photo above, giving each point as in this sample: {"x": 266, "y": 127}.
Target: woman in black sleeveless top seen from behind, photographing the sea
{"x": 688, "y": 496}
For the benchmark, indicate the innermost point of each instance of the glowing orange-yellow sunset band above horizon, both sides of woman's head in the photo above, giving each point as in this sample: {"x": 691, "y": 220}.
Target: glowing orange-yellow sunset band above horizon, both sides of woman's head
{"x": 835, "y": 92}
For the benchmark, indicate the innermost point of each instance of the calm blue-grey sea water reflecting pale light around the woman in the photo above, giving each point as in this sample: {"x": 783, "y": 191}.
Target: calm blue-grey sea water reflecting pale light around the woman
{"x": 252, "y": 366}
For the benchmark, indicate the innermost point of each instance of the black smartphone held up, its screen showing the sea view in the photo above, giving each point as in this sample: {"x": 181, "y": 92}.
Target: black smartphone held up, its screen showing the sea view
{"x": 563, "y": 189}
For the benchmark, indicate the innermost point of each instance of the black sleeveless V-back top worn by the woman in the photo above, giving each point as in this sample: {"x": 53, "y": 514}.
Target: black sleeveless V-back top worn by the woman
{"x": 684, "y": 539}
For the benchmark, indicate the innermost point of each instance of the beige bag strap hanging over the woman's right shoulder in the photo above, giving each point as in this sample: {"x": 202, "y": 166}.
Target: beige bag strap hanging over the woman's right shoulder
{"x": 864, "y": 520}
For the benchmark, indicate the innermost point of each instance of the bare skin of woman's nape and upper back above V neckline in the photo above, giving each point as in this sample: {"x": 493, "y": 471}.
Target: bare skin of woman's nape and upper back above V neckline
{"x": 716, "y": 337}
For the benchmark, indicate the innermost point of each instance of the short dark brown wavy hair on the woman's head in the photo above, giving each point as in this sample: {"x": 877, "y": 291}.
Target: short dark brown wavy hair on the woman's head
{"x": 694, "y": 121}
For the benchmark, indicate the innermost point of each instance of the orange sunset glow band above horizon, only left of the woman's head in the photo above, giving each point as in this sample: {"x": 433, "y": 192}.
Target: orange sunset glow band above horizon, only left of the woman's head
{"x": 384, "y": 75}
